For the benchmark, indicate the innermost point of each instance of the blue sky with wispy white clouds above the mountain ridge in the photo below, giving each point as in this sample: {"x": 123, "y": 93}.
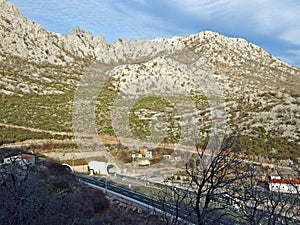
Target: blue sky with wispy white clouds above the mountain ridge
{"x": 271, "y": 24}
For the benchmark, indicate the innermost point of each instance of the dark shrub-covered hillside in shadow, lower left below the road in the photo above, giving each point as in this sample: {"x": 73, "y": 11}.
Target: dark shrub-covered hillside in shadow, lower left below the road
{"x": 48, "y": 193}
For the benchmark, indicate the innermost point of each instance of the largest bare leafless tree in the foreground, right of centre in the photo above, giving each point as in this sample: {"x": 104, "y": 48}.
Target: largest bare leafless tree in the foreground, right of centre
{"x": 207, "y": 193}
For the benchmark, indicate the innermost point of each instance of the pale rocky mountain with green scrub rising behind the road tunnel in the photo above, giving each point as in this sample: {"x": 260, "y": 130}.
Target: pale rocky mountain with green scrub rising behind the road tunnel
{"x": 41, "y": 70}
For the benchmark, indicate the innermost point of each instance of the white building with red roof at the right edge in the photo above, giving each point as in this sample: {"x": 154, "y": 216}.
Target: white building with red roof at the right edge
{"x": 278, "y": 184}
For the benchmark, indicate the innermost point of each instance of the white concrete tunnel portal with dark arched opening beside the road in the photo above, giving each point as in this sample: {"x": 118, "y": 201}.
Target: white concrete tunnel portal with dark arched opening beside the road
{"x": 103, "y": 168}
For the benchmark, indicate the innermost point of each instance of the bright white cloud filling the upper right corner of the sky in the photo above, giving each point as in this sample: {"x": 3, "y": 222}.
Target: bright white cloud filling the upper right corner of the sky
{"x": 263, "y": 16}
